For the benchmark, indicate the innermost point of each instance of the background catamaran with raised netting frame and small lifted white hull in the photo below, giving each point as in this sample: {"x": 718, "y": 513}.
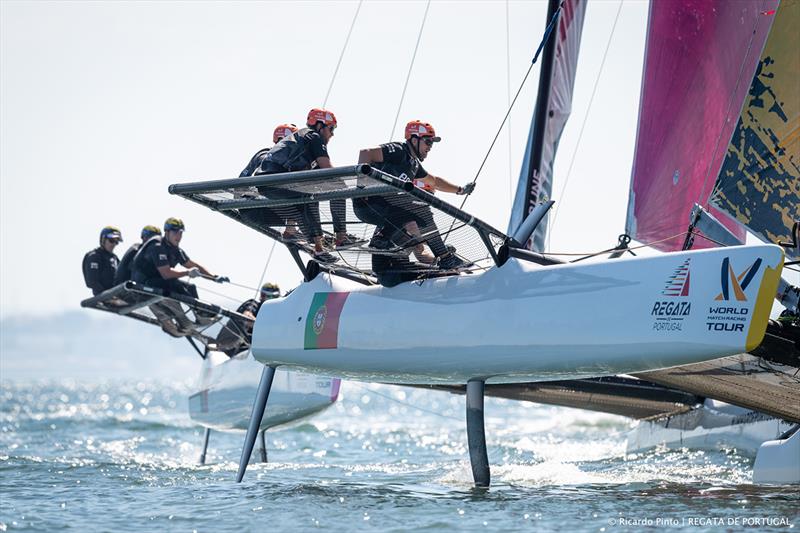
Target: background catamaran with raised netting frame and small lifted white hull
{"x": 227, "y": 382}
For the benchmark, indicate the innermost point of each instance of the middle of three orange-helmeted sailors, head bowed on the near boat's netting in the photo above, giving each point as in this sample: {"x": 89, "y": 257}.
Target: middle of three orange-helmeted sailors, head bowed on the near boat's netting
{"x": 307, "y": 149}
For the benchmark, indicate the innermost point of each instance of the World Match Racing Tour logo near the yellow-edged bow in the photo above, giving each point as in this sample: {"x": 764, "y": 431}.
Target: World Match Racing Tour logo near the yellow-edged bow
{"x": 732, "y": 317}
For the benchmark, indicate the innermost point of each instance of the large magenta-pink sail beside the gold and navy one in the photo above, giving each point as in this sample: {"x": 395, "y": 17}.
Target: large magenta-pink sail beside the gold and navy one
{"x": 699, "y": 60}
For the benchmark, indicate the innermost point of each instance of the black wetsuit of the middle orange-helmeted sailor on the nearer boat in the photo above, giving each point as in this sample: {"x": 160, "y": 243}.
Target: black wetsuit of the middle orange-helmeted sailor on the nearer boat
{"x": 278, "y": 160}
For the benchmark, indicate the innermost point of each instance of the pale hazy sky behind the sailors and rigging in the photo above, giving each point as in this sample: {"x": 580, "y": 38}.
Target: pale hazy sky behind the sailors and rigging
{"x": 106, "y": 104}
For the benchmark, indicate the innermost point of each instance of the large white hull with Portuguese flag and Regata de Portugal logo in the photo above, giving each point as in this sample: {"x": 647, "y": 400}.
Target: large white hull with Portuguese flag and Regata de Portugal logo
{"x": 524, "y": 322}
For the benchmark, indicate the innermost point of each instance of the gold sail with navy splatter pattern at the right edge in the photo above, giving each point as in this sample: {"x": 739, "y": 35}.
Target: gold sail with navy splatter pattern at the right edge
{"x": 759, "y": 183}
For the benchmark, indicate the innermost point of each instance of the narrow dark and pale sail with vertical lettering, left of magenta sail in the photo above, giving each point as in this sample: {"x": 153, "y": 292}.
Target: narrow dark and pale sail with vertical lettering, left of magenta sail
{"x": 553, "y": 106}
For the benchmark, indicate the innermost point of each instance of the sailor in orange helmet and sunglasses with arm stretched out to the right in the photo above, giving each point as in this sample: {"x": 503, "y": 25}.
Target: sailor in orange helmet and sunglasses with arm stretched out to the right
{"x": 400, "y": 214}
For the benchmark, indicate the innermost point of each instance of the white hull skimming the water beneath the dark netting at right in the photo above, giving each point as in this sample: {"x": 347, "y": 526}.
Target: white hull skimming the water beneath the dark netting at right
{"x": 714, "y": 426}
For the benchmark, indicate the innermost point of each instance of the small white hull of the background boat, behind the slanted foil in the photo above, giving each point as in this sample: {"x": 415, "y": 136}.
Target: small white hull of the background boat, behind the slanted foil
{"x": 227, "y": 388}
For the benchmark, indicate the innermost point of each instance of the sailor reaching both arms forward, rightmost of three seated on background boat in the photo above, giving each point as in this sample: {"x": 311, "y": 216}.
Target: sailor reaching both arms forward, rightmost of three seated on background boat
{"x": 154, "y": 264}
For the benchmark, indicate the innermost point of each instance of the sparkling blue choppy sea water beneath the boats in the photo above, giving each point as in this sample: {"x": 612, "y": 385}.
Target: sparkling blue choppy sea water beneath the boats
{"x": 123, "y": 455}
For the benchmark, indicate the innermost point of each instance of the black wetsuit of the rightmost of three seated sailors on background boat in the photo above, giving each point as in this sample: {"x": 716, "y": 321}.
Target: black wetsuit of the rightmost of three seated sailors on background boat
{"x": 158, "y": 252}
